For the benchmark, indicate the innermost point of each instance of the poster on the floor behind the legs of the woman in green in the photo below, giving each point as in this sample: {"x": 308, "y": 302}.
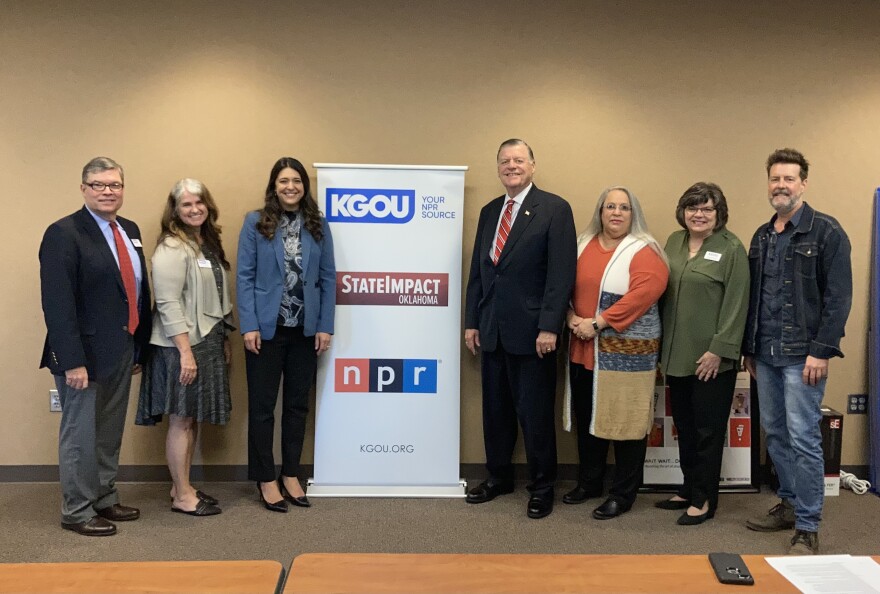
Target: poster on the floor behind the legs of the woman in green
{"x": 739, "y": 469}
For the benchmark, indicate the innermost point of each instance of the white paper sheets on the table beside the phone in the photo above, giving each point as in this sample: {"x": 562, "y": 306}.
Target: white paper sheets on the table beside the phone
{"x": 829, "y": 574}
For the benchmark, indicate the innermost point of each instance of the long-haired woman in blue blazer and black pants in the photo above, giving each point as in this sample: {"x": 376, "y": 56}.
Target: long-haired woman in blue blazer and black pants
{"x": 286, "y": 302}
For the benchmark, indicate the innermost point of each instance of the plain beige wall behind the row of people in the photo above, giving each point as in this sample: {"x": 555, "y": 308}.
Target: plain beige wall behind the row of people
{"x": 655, "y": 97}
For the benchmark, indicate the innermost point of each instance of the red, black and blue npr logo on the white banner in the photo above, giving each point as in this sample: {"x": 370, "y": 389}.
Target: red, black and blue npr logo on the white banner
{"x": 386, "y": 376}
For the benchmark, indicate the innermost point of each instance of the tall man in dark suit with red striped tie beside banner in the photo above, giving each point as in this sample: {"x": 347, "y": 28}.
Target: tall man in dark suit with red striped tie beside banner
{"x": 521, "y": 278}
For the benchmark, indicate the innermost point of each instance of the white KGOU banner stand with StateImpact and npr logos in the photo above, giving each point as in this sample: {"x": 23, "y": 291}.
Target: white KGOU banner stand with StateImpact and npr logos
{"x": 388, "y": 420}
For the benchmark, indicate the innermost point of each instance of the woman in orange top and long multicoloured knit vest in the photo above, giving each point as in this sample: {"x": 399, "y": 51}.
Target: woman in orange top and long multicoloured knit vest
{"x": 615, "y": 338}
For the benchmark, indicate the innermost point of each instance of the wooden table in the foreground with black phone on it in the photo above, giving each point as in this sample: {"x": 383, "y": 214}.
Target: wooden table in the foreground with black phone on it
{"x": 466, "y": 574}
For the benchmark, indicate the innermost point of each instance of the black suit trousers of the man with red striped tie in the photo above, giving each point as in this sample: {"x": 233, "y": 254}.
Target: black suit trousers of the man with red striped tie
{"x": 523, "y": 388}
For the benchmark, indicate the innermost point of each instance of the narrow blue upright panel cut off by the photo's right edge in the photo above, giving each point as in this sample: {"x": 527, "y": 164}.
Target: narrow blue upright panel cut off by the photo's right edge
{"x": 874, "y": 354}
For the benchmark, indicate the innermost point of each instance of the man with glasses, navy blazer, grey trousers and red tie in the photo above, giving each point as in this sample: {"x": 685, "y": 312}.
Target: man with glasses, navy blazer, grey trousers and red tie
{"x": 96, "y": 303}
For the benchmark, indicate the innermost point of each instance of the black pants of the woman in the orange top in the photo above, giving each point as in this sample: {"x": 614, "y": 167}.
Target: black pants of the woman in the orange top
{"x": 629, "y": 455}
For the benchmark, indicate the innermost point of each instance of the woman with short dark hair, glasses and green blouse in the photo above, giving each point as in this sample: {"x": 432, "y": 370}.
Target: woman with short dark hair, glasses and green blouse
{"x": 703, "y": 315}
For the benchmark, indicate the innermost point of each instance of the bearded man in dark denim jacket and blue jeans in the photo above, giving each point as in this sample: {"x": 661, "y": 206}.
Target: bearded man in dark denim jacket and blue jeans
{"x": 801, "y": 293}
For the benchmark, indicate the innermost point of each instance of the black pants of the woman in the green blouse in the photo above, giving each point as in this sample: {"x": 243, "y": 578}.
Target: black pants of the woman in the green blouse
{"x": 700, "y": 411}
